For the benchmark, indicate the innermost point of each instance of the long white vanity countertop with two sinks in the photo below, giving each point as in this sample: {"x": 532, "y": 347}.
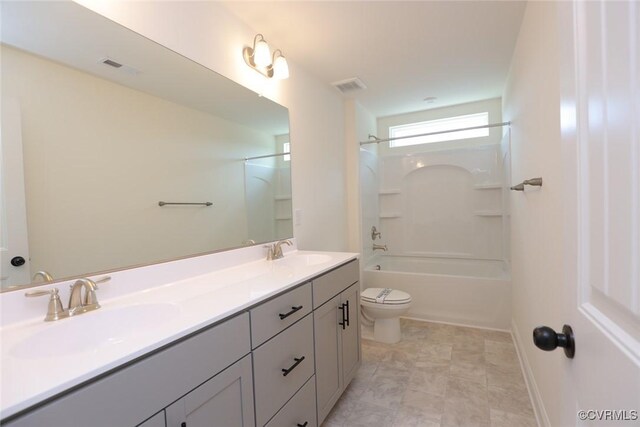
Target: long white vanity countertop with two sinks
{"x": 37, "y": 364}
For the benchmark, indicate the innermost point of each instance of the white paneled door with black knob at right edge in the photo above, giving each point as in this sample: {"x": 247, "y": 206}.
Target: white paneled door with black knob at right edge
{"x": 601, "y": 138}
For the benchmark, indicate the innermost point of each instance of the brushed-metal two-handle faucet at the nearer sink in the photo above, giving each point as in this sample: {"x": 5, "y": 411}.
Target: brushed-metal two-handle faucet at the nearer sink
{"x": 77, "y": 303}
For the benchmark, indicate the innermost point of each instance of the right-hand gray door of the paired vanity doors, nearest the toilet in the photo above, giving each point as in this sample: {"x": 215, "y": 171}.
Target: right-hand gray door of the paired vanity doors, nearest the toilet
{"x": 350, "y": 335}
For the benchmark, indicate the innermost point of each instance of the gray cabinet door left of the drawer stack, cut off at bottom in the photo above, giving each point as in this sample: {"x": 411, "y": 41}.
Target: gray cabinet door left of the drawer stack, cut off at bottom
{"x": 225, "y": 400}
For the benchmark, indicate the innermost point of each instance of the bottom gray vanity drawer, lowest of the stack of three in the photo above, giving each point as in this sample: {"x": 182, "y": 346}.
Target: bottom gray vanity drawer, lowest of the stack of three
{"x": 299, "y": 410}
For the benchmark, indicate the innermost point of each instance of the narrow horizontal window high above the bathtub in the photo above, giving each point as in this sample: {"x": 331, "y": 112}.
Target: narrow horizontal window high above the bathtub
{"x": 449, "y": 123}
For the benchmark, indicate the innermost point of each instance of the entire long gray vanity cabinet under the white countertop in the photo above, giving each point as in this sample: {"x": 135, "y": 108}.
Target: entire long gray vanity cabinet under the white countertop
{"x": 284, "y": 362}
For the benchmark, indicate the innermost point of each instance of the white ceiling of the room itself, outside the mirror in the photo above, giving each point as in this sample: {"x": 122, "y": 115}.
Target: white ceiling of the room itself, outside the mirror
{"x": 403, "y": 51}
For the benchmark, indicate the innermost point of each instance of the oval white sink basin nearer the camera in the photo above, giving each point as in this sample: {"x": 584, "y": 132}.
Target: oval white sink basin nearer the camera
{"x": 90, "y": 332}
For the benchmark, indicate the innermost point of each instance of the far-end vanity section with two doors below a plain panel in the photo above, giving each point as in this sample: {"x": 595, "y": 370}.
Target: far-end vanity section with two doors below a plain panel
{"x": 337, "y": 336}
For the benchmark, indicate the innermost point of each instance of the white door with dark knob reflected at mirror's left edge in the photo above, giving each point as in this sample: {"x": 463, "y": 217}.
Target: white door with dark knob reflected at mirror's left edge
{"x": 14, "y": 244}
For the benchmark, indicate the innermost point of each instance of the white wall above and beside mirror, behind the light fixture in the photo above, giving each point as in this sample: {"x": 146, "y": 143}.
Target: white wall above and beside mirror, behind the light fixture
{"x": 207, "y": 33}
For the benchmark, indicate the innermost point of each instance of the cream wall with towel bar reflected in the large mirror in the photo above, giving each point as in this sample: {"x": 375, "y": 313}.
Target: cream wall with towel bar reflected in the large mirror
{"x": 97, "y": 158}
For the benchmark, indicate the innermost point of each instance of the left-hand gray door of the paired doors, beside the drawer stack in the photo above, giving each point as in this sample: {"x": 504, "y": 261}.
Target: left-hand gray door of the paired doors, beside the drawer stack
{"x": 328, "y": 355}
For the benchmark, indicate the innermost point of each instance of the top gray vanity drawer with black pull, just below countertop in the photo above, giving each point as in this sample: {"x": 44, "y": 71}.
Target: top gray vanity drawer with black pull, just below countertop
{"x": 270, "y": 318}
